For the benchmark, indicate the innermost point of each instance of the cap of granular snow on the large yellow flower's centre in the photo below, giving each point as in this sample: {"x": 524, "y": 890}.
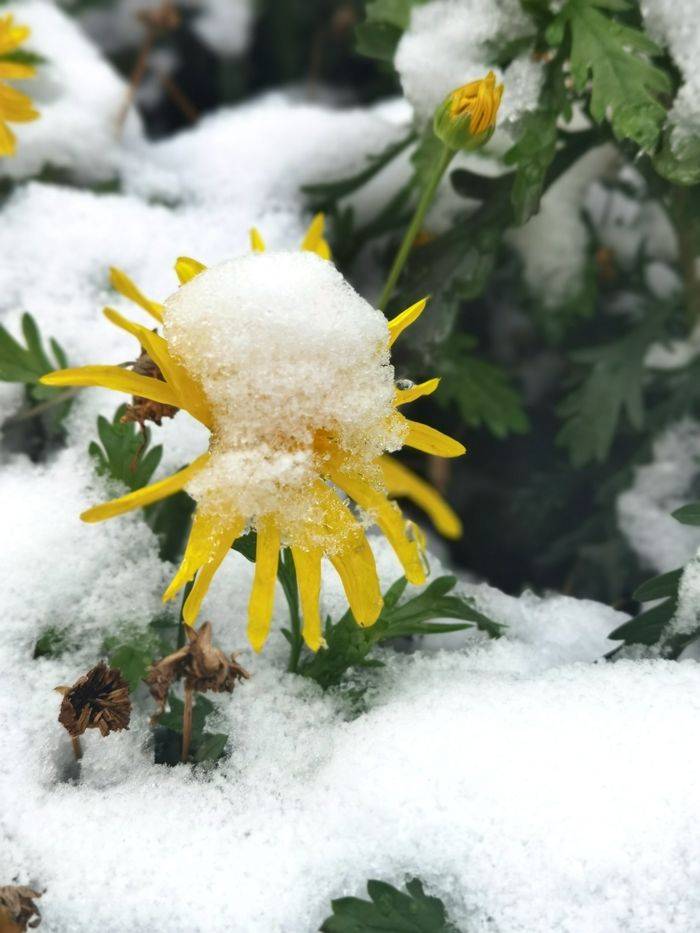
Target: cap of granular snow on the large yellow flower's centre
{"x": 282, "y": 366}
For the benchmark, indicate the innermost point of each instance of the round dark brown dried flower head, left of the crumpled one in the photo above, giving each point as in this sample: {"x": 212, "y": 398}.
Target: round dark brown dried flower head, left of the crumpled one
{"x": 97, "y": 700}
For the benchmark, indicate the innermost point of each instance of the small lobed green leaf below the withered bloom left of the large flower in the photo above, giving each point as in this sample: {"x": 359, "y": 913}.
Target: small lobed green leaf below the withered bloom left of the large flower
{"x": 124, "y": 454}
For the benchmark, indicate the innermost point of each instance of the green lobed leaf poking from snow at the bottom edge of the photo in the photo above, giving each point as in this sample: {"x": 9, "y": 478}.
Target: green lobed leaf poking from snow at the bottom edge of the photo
{"x": 389, "y": 910}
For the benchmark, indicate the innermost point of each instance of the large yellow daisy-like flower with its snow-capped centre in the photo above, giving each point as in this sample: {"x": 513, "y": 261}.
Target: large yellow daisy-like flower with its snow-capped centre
{"x": 289, "y": 370}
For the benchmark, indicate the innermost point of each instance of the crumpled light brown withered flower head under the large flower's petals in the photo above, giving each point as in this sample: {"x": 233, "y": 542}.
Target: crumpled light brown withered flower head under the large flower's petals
{"x": 202, "y": 666}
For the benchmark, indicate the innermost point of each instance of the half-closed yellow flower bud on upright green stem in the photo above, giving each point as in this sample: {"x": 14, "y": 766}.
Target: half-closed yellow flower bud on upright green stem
{"x": 466, "y": 118}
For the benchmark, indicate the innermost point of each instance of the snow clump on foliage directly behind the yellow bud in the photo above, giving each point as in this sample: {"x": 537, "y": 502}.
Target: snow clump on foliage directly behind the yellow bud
{"x": 452, "y": 42}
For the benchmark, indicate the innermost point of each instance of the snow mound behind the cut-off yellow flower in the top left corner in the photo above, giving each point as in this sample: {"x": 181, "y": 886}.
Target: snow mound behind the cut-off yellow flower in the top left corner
{"x": 79, "y": 97}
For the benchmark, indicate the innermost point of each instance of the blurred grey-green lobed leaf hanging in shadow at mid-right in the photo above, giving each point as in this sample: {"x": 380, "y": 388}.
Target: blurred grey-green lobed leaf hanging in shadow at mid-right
{"x": 611, "y": 386}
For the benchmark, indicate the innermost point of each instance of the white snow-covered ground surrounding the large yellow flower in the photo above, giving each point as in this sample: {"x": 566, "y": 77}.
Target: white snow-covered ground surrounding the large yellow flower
{"x": 529, "y": 784}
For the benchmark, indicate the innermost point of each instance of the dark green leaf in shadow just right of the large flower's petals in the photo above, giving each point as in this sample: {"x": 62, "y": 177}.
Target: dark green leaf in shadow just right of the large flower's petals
{"x": 480, "y": 389}
